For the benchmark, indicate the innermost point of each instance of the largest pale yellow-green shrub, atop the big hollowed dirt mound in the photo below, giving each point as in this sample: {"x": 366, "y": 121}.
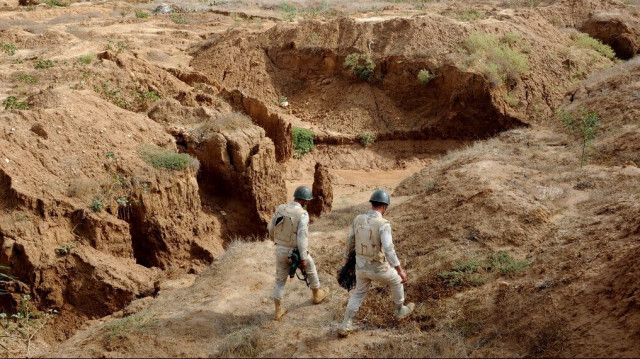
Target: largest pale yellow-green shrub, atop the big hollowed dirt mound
{"x": 495, "y": 59}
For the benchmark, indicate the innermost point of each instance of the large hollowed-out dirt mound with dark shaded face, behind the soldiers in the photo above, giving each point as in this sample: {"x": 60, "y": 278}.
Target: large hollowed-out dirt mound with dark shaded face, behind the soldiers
{"x": 307, "y": 68}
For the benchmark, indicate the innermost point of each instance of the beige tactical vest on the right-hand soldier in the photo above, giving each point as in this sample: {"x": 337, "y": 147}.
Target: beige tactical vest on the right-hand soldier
{"x": 367, "y": 235}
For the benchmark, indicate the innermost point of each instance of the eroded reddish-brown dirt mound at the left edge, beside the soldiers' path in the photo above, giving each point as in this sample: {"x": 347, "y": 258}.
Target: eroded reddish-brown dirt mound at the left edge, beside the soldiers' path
{"x": 82, "y": 207}
